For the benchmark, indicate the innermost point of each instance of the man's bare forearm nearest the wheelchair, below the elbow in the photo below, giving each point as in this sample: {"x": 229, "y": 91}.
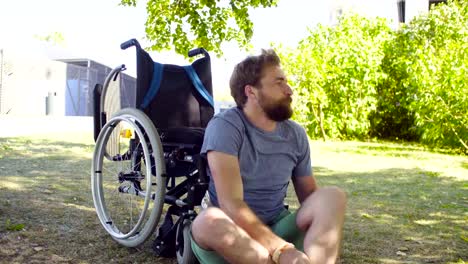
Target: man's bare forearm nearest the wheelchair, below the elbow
{"x": 244, "y": 217}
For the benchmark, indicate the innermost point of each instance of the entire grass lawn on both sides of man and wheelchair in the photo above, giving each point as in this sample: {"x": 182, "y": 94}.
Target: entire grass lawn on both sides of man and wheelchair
{"x": 405, "y": 204}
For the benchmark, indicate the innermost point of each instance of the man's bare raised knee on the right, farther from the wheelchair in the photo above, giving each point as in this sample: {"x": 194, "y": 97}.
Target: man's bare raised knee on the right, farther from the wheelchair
{"x": 325, "y": 202}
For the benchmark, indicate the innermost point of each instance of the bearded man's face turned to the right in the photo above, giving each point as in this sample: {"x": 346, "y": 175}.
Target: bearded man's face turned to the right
{"x": 274, "y": 96}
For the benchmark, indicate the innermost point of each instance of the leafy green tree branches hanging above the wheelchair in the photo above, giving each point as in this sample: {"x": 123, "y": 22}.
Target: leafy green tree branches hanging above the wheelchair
{"x": 185, "y": 24}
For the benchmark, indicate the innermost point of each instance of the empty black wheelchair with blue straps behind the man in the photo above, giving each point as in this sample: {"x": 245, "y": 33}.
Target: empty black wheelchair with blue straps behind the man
{"x": 147, "y": 155}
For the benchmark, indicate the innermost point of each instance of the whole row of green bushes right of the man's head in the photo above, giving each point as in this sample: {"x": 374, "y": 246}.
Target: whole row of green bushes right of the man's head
{"x": 360, "y": 78}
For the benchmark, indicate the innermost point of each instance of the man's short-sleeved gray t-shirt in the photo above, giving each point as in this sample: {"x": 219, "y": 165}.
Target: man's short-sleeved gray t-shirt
{"x": 267, "y": 160}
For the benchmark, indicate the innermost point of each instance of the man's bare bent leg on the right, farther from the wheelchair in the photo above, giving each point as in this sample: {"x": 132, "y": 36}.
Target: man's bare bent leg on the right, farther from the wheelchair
{"x": 322, "y": 215}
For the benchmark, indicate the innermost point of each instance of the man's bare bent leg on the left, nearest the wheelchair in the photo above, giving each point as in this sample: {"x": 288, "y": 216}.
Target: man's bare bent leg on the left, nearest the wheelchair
{"x": 212, "y": 229}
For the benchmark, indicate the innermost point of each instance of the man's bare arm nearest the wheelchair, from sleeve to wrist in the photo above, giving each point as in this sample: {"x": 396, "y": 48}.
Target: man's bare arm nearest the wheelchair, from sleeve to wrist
{"x": 228, "y": 183}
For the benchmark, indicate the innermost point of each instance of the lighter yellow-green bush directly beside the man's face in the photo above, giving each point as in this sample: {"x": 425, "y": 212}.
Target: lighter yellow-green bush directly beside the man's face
{"x": 335, "y": 71}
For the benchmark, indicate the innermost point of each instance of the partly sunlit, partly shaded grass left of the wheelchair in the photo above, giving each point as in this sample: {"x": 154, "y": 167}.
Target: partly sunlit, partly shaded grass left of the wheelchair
{"x": 45, "y": 186}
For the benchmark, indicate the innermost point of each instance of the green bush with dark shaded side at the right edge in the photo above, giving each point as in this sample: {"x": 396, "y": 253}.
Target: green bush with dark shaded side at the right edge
{"x": 426, "y": 67}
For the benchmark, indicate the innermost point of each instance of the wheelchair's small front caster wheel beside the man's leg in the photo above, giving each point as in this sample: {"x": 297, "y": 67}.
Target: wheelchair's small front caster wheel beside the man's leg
{"x": 184, "y": 251}
